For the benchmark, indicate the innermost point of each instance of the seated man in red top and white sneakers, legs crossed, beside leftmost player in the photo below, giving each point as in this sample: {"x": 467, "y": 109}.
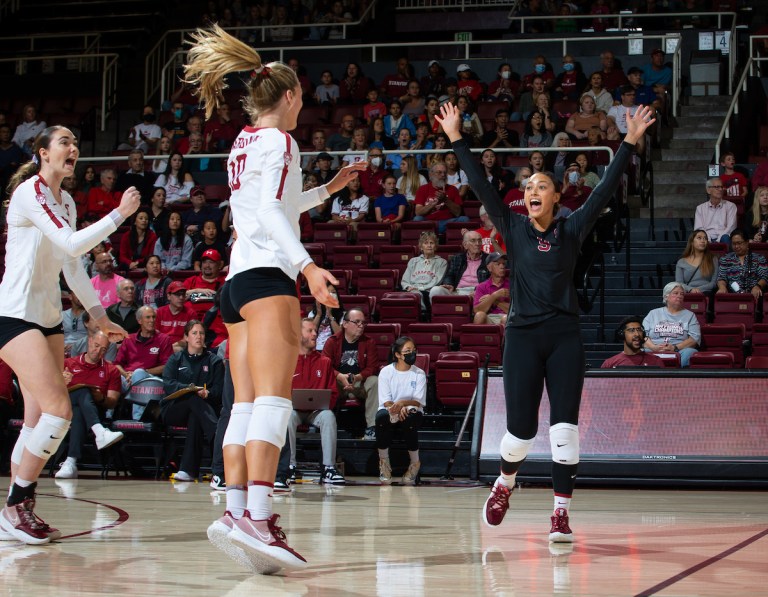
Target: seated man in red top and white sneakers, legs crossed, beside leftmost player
{"x": 94, "y": 385}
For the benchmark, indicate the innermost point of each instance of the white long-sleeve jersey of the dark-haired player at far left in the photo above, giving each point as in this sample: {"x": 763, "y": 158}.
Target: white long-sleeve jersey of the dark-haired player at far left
{"x": 42, "y": 243}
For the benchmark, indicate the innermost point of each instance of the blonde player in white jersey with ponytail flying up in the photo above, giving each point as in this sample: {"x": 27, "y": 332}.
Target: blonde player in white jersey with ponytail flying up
{"x": 259, "y": 301}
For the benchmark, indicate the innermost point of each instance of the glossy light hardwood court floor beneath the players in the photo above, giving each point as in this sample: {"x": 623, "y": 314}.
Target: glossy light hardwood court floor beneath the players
{"x": 148, "y": 538}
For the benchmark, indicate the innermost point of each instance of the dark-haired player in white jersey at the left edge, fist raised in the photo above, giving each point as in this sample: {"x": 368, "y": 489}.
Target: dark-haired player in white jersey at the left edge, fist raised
{"x": 43, "y": 242}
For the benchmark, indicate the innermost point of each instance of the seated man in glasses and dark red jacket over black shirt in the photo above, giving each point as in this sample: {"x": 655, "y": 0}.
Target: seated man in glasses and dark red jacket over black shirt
{"x": 356, "y": 363}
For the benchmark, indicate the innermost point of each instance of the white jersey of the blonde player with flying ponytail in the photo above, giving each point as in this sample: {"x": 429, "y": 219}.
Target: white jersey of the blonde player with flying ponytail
{"x": 264, "y": 170}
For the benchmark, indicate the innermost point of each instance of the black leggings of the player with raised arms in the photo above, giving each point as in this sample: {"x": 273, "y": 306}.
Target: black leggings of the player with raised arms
{"x": 549, "y": 351}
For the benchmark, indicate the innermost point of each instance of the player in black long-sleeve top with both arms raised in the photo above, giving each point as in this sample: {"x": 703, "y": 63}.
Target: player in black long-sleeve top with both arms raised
{"x": 543, "y": 341}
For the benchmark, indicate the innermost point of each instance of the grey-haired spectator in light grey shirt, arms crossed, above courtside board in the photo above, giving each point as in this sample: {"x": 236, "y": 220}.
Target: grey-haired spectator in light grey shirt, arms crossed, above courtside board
{"x": 672, "y": 328}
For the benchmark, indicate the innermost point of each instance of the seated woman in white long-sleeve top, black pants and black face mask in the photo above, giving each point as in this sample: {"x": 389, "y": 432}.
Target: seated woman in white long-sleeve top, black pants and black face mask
{"x": 402, "y": 398}
